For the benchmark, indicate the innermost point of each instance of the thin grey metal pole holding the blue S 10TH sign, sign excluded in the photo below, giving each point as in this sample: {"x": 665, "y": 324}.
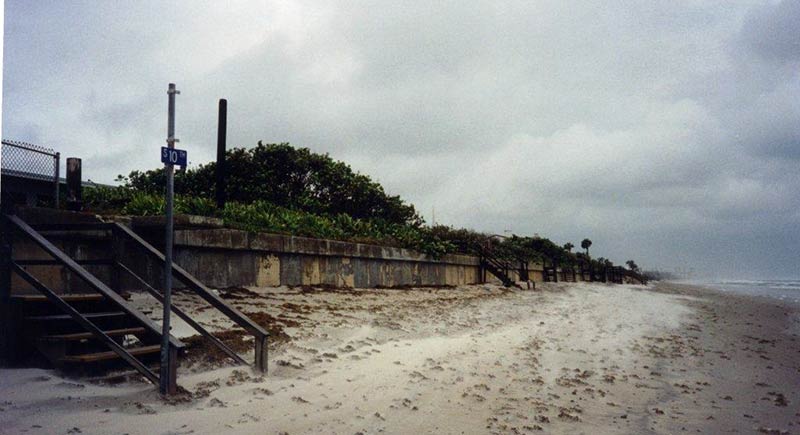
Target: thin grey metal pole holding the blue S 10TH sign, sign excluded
{"x": 167, "y": 385}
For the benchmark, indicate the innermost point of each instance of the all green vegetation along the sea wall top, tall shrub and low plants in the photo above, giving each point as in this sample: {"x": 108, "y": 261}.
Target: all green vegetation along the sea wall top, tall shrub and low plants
{"x": 282, "y": 189}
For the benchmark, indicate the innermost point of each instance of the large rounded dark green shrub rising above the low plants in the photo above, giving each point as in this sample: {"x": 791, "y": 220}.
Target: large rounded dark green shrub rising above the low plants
{"x": 289, "y": 177}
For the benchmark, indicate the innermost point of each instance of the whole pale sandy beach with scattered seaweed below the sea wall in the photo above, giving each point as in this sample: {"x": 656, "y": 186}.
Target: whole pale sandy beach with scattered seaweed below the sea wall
{"x": 565, "y": 358}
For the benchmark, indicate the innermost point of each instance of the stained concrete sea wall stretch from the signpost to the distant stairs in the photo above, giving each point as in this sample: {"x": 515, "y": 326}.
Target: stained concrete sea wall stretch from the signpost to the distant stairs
{"x": 227, "y": 257}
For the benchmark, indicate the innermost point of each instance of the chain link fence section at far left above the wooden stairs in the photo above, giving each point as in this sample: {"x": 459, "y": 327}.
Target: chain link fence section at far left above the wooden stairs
{"x": 25, "y": 161}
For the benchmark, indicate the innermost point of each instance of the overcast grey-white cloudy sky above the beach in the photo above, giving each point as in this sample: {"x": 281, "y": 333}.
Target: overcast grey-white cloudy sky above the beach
{"x": 667, "y": 132}
